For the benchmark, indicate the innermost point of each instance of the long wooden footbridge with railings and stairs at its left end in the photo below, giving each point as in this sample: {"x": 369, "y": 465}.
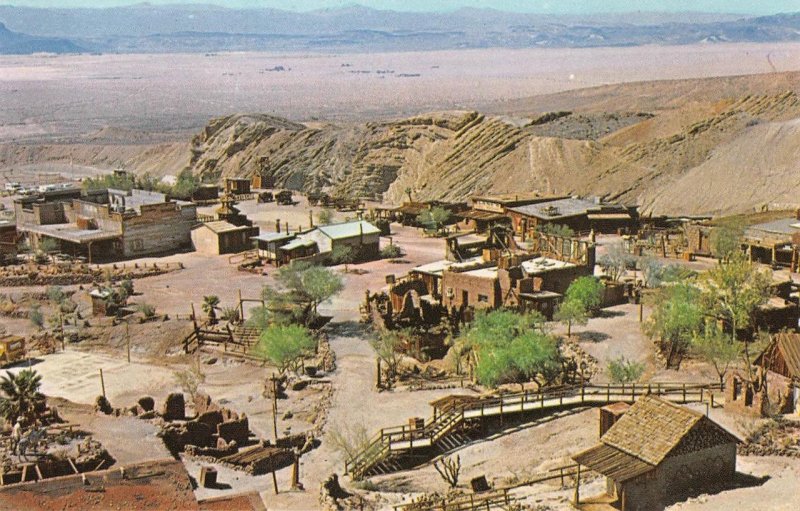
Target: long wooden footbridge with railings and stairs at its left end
{"x": 450, "y": 428}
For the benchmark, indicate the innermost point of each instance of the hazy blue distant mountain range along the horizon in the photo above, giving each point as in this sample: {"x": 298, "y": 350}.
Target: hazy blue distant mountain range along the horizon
{"x": 163, "y": 29}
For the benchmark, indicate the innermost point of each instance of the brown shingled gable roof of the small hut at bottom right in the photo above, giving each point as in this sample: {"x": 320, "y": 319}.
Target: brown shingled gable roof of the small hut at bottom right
{"x": 648, "y": 432}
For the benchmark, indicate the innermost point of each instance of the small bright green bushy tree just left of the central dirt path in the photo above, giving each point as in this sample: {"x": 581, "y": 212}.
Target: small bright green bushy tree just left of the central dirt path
{"x": 284, "y": 346}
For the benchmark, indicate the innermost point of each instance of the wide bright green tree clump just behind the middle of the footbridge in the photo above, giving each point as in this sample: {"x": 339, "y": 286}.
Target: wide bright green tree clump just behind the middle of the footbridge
{"x": 511, "y": 347}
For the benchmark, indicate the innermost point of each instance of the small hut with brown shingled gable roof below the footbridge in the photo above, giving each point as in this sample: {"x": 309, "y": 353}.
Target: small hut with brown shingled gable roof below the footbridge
{"x": 656, "y": 454}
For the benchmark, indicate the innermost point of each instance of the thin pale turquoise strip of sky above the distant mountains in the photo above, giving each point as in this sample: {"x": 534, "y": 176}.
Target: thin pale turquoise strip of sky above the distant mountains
{"x": 544, "y": 6}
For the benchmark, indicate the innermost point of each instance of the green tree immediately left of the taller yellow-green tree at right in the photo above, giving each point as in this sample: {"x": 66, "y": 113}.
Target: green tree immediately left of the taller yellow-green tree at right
{"x": 677, "y": 317}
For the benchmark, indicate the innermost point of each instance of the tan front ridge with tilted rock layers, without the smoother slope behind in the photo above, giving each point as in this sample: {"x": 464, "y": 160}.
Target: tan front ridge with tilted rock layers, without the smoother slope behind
{"x": 451, "y": 155}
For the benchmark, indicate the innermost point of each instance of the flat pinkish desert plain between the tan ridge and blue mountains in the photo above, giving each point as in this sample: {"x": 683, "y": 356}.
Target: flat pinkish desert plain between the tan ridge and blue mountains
{"x": 77, "y": 94}
